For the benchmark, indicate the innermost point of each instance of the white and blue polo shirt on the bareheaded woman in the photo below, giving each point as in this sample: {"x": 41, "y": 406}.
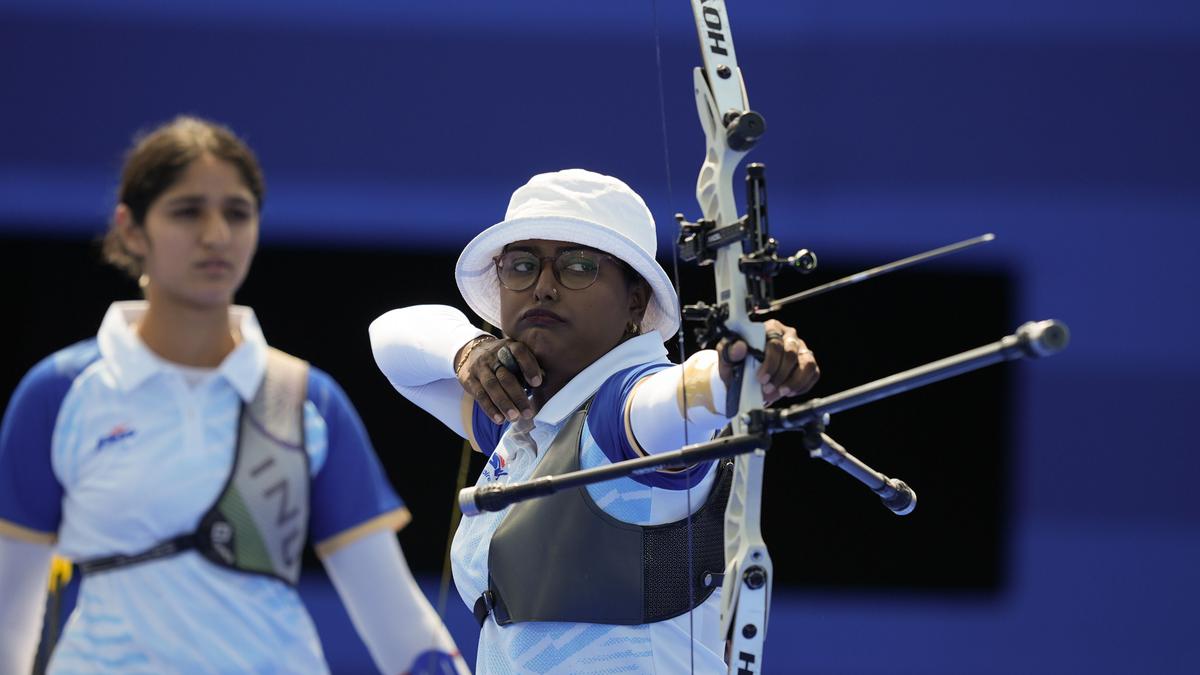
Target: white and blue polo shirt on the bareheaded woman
{"x": 107, "y": 449}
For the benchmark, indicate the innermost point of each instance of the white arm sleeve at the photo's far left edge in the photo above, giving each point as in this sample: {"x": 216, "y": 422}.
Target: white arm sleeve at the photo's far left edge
{"x": 25, "y": 574}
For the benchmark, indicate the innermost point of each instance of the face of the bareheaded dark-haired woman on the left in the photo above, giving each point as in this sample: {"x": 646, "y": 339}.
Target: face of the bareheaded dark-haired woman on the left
{"x": 200, "y": 236}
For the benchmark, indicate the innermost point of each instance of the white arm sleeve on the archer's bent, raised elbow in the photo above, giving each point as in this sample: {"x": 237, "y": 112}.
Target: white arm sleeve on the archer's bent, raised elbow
{"x": 416, "y": 349}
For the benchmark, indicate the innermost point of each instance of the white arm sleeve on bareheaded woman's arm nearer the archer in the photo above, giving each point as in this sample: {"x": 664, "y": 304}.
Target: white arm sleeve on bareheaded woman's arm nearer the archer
{"x": 389, "y": 612}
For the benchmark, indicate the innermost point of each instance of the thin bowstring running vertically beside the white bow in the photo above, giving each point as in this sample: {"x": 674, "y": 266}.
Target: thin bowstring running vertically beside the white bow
{"x": 681, "y": 343}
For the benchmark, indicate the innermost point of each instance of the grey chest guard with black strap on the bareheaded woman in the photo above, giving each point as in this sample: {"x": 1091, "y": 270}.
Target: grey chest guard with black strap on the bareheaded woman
{"x": 260, "y": 522}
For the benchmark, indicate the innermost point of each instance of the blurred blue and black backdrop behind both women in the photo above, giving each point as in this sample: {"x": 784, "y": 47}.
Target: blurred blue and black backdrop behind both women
{"x": 1058, "y": 529}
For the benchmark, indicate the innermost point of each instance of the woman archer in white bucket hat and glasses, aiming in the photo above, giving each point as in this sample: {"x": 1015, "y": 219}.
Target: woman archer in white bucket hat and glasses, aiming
{"x": 591, "y": 580}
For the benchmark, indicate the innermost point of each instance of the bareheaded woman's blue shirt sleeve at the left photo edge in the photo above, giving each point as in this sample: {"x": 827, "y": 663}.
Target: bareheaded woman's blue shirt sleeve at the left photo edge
{"x": 31, "y": 494}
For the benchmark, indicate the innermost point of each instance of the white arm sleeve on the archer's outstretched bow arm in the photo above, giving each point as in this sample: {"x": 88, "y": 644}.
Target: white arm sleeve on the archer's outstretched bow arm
{"x": 656, "y": 408}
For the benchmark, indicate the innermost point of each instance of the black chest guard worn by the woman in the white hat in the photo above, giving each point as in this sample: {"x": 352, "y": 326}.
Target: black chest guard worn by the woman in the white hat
{"x": 601, "y": 570}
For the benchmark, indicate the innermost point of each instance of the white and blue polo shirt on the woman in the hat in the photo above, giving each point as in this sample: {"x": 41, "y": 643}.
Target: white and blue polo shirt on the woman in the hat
{"x": 647, "y": 499}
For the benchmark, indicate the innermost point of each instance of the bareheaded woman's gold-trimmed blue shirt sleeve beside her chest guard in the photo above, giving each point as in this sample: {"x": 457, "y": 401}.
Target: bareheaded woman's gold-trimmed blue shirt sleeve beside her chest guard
{"x": 351, "y": 494}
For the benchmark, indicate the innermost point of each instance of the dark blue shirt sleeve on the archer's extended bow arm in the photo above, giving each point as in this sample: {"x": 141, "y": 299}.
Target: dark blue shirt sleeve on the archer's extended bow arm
{"x": 607, "y": 422}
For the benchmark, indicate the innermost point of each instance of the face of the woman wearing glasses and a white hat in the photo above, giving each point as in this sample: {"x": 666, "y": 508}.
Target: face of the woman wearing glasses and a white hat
{"x": 568, "y": 330}
